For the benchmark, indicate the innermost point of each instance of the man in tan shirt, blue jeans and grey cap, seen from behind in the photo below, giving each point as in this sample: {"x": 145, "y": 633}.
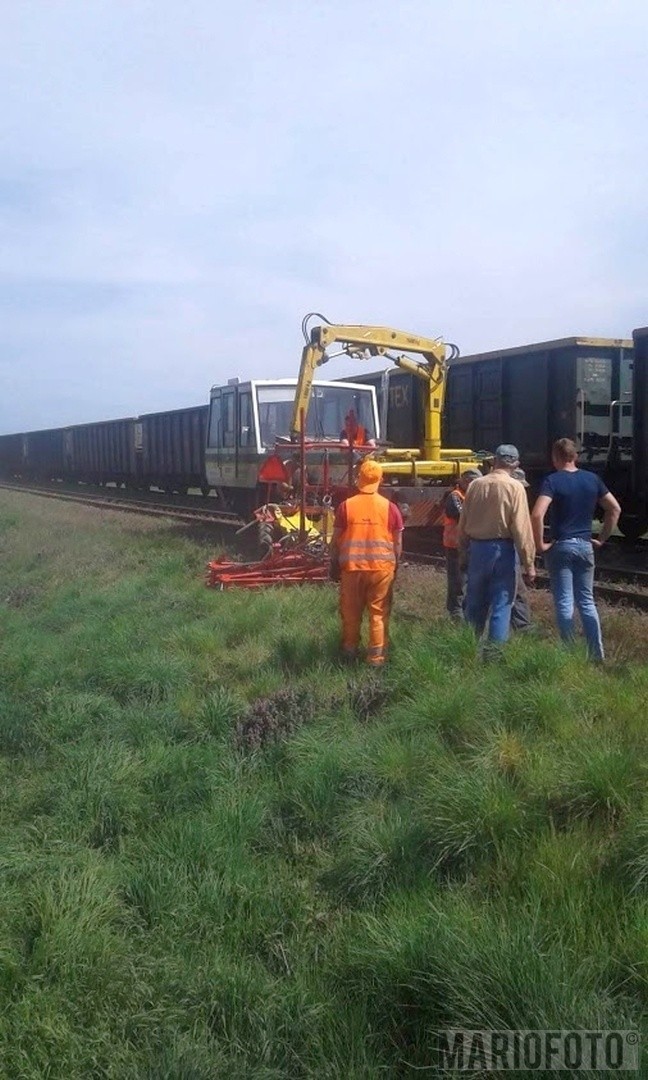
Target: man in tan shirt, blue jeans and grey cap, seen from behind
{"x": 495, "y": 524}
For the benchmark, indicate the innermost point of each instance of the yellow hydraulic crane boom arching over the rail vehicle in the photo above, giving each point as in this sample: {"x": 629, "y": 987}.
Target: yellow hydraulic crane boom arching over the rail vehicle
{"x": 364, "y": 343}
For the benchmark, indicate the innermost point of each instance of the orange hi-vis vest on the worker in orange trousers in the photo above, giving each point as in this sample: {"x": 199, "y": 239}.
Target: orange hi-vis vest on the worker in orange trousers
{"x": 368, "y": 544}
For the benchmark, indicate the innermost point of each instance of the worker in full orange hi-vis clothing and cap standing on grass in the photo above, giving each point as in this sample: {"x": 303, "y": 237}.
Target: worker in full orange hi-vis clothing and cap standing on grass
{"x": 366, "y": 549}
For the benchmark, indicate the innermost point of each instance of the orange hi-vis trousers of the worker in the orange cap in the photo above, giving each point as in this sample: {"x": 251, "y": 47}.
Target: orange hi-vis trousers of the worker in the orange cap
{"x": 371, "y": 590}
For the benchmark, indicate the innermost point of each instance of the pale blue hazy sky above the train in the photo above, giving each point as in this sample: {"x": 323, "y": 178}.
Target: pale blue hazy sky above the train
{"x": 181, "y": 183}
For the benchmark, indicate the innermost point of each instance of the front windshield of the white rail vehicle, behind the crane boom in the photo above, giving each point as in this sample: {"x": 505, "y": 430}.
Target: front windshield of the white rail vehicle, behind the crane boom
{"x": 331, "y": 412}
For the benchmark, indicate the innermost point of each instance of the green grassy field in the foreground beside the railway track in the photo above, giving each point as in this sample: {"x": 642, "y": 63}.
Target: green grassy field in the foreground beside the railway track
{"x": 224, "y": 855}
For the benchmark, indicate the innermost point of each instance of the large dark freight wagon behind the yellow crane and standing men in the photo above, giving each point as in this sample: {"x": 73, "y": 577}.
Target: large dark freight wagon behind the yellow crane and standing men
{"x": 579, "y": 388}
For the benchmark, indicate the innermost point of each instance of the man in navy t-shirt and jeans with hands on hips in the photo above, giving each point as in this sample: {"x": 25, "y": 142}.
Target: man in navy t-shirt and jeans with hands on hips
{"x": 574, "y": 495}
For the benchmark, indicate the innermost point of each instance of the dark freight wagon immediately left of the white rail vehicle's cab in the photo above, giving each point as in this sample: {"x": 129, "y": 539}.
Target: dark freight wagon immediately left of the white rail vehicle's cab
{"x": 173, "y": 450}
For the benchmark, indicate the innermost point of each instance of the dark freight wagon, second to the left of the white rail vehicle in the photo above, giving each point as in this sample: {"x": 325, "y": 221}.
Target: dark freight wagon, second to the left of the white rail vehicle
{"x": 103, "y": 453}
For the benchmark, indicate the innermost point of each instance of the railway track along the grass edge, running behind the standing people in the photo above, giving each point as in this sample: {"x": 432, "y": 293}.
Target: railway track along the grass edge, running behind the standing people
{"x": 610, "y": 587}
